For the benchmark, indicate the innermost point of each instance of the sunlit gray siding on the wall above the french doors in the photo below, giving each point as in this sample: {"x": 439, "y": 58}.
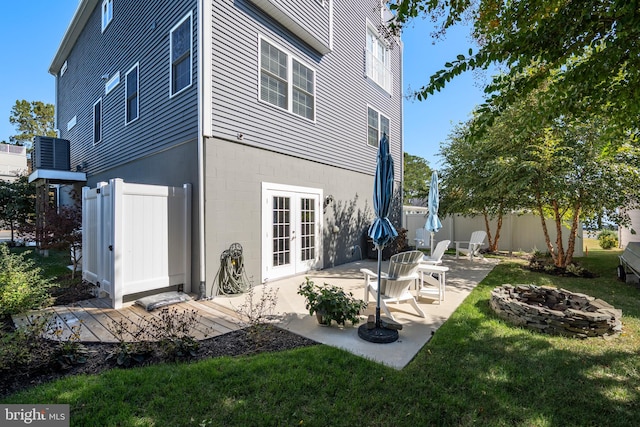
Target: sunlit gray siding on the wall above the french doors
{"x": 338, "y": 137}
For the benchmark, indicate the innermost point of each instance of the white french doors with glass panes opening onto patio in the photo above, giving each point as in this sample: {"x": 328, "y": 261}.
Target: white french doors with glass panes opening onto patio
{"x": 291, "y": 230}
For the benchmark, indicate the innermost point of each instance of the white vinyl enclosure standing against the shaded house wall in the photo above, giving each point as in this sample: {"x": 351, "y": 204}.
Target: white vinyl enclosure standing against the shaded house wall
{"x": 136, "y": 238}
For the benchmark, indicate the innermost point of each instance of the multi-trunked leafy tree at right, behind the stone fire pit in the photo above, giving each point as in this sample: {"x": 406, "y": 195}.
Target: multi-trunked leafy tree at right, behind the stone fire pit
{"x": 575, "y": 172}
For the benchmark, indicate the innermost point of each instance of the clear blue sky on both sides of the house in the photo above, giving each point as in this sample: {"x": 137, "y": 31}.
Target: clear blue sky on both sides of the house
{"x": 32, "y": 31}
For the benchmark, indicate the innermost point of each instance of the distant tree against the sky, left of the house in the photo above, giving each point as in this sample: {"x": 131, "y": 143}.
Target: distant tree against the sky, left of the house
{"x": 32, "y": 119}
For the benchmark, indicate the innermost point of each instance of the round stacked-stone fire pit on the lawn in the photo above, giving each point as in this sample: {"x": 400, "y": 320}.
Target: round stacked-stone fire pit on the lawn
{"x": 556, "y": 311}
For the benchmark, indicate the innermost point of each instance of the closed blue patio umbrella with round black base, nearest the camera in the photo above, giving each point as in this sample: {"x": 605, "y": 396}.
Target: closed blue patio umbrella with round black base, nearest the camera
{"x": 381, "y": 230}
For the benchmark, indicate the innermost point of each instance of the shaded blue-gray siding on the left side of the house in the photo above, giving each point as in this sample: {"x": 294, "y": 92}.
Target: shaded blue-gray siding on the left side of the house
{"x": 138, "y": 33}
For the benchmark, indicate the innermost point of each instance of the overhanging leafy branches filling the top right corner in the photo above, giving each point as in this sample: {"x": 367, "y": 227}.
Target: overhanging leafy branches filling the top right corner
{"x": 590, "y": 47}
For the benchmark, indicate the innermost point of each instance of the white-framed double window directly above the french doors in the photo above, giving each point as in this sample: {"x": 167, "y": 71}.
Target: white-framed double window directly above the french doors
{"x": 286, "y": 82}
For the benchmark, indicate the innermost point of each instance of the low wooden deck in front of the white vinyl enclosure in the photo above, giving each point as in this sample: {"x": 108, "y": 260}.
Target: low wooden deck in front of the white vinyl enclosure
{"x": 94, "y": 320}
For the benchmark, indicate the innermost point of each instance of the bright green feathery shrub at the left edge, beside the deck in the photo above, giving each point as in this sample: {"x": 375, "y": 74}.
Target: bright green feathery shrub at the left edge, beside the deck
{"x": 22, "y": 286}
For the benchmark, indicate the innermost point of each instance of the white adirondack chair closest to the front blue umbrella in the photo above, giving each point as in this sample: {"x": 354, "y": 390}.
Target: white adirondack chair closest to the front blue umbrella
{"x": 395, "y": 284}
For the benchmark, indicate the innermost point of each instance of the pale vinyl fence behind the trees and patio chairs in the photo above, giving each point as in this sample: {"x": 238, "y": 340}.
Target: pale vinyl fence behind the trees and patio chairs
{"x": 518, "y": 233}
